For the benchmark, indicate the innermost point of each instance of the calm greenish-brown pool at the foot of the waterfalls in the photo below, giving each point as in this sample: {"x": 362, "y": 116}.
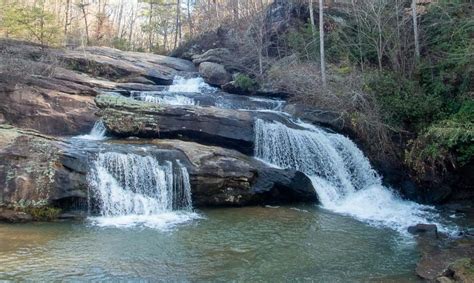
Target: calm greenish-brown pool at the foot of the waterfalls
{"x": 303, "y": 243}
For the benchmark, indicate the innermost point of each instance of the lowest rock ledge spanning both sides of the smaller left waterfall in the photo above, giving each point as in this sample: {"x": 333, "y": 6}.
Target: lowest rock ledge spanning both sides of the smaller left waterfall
{"x": 39, "y": 170}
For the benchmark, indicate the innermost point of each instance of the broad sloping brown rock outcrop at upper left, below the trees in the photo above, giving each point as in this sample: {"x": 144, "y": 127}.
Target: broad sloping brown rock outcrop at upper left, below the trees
{"x": 51, "y": 90}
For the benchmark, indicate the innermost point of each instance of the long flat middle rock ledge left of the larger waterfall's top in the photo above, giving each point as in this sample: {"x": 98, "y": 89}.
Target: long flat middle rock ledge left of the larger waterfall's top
{"x": 125, "y": 117}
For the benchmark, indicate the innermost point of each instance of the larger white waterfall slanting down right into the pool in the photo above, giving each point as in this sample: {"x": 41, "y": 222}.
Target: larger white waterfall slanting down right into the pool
{"x": 342, "y": 176}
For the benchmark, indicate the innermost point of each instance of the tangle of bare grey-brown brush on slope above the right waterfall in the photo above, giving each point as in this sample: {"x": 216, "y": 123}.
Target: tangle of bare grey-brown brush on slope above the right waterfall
{"x": 344, "y": 95}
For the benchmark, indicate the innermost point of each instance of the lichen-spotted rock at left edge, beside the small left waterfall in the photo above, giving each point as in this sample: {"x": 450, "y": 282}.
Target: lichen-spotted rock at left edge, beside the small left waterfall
{"x": 32, "y": 172}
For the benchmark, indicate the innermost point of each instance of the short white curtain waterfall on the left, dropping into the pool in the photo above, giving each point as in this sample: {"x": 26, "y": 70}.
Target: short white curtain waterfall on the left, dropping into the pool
{"x": 138, "y": 190}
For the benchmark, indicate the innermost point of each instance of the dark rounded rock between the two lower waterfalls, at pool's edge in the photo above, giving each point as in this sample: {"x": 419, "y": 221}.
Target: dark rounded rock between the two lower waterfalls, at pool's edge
{"x": 224, "y": 177}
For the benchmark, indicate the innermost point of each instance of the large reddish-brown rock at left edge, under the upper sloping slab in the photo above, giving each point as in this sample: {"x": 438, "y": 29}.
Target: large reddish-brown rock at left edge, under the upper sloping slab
{"x": 46, "y": 105}
